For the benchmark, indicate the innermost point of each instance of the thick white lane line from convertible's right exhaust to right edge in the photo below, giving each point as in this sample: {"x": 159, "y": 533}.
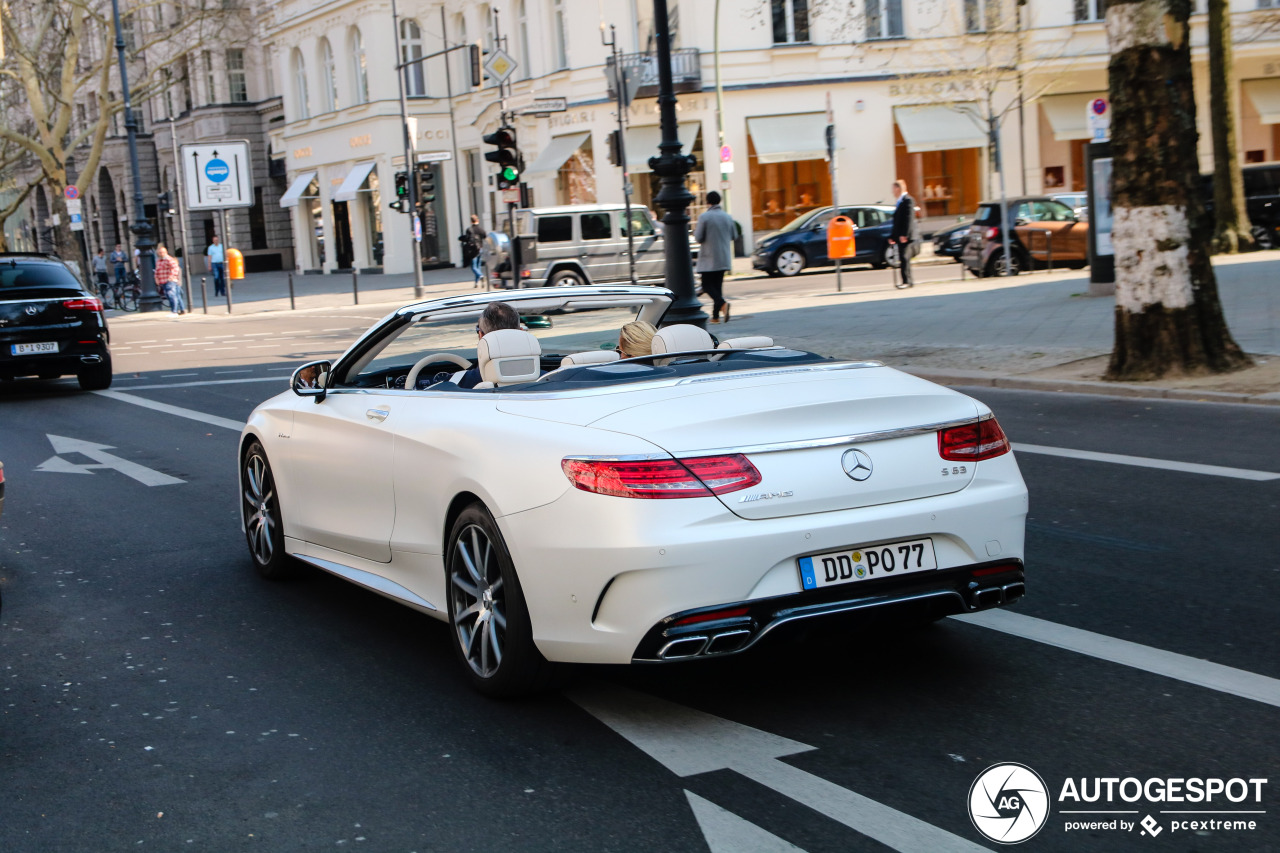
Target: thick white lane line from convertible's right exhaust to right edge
{"x": 1192, "y": 670}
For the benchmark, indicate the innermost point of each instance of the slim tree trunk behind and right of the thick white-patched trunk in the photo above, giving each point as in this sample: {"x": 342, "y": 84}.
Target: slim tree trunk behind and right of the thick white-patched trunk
{"x": 1232, "y": 232}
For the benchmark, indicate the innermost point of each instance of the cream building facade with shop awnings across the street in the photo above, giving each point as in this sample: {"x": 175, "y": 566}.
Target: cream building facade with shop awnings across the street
{"x": 916, "y": 89}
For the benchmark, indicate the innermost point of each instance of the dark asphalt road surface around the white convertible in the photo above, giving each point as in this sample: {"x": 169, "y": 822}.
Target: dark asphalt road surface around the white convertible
{"x": 157, "y": 695}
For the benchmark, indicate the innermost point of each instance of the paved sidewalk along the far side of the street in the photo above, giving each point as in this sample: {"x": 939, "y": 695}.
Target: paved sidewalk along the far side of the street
{"x": 1036, "y": 331}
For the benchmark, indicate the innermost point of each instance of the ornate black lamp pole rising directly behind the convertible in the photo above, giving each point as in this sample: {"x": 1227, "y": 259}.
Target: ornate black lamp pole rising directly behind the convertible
{"x": 671, "y": 166}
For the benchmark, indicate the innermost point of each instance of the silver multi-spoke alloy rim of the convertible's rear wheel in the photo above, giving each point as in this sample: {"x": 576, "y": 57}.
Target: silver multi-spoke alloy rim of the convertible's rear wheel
{"x": 478, "y": 601}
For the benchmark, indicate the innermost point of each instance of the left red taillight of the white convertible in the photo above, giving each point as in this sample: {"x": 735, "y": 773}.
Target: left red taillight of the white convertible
{"x": 662, "y": 478}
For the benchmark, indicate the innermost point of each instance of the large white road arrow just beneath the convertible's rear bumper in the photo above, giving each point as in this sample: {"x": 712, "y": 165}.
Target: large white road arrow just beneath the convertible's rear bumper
{"x": 691, "y": 742}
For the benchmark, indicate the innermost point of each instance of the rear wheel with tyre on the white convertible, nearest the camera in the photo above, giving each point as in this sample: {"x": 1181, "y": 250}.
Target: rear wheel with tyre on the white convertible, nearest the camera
{"x": 490, "y": 624}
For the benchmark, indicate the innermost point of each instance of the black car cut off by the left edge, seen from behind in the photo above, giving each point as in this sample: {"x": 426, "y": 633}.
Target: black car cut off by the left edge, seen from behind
{"x": 51, "y": 325}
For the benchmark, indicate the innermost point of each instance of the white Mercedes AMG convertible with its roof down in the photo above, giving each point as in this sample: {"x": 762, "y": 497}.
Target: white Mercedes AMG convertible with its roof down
{"x": 583, "y": 508}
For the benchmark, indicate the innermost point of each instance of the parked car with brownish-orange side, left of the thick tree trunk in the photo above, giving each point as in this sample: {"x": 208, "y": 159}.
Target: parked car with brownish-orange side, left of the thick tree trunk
{"x": 1040, "y": 227}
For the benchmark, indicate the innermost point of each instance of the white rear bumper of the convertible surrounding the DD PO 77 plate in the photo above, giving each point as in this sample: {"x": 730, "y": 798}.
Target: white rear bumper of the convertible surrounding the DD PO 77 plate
{"x": 601, "y": 574}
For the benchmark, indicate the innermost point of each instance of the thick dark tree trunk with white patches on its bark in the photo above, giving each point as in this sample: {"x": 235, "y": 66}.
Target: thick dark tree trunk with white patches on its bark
{"x": 1169, "y": 320}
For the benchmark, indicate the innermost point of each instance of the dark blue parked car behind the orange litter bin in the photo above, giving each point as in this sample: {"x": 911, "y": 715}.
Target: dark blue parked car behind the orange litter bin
{"x": 803, "y": 241}
